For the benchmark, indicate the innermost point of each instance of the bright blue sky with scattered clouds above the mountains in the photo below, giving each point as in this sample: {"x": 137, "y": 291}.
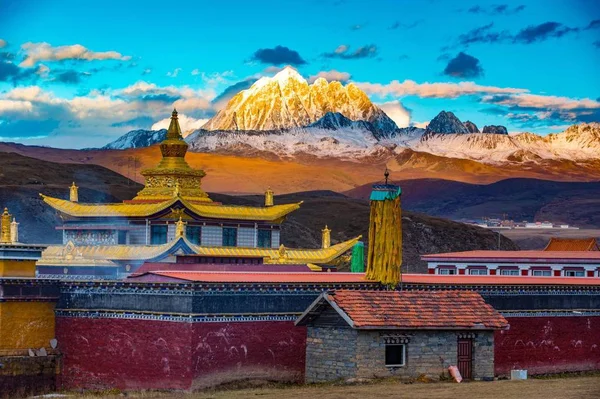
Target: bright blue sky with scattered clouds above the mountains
{"x": 79, "y": 74}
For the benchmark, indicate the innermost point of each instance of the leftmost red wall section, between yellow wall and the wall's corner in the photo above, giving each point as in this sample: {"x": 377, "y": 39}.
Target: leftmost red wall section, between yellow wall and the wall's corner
{"x": 124, "y": 354}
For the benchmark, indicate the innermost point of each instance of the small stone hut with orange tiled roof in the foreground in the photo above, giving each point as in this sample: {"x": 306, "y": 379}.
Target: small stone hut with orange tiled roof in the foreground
{"x": 370, "y": 334}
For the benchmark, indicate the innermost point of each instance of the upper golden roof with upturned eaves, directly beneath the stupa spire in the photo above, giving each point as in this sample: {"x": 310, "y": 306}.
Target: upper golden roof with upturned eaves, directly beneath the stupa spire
{"x": 208, "y": 210}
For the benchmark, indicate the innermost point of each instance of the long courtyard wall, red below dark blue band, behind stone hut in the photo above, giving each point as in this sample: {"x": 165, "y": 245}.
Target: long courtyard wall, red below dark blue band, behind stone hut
{"x": 193, "y": 335}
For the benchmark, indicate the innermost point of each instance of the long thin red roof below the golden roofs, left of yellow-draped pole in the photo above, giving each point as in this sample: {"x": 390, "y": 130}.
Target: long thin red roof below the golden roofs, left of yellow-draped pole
{"x": 260, "y": 277}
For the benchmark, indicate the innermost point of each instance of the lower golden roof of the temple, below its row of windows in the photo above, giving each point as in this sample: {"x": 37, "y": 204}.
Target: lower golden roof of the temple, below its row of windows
{"x": 70, "y": 254}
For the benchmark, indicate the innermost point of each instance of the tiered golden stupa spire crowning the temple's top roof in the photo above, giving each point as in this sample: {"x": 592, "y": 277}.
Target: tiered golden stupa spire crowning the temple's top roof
{"x": 173, "y": 169}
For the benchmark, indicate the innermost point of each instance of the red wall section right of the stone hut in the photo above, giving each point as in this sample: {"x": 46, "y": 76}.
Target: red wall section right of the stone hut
{"x": 548, "y": 345}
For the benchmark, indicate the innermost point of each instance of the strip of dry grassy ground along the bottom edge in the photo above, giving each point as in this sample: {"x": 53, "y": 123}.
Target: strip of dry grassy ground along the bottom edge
{"x": 567, "y": 387}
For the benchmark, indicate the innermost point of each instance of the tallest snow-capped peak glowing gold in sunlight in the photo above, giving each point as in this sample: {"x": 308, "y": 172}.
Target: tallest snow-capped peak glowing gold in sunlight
{"x": 287, "y": 101}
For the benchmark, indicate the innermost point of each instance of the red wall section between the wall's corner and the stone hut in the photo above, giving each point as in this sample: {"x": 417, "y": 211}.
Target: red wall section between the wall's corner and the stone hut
{"x": 225, "y": 352}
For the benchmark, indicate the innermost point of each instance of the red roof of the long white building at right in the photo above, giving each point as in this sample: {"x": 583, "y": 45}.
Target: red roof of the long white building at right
{"x": 536, "y": 256}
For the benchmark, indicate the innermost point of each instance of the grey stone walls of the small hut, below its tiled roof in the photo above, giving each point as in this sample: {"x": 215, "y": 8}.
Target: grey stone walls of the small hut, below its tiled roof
{"x": 338, "y": 353}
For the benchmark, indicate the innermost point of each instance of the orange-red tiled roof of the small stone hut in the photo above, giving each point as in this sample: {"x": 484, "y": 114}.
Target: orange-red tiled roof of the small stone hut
{"x": 412, "y": 310}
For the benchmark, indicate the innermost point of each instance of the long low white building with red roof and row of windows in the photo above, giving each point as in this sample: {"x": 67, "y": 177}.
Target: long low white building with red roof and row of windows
{"x": 516, "y": 263}
